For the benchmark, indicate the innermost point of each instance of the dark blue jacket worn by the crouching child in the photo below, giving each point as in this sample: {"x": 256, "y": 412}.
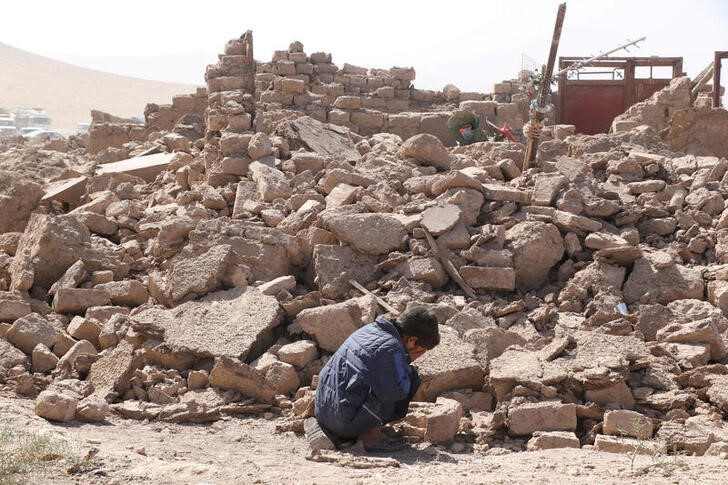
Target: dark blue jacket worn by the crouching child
{"x": 368, "y": 381}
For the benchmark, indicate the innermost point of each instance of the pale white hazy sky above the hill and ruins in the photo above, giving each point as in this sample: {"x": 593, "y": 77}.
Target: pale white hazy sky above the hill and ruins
{"x": 470, "y": 44}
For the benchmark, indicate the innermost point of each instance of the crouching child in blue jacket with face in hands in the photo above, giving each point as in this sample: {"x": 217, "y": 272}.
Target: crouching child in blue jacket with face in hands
{"x": 369, "y": 382}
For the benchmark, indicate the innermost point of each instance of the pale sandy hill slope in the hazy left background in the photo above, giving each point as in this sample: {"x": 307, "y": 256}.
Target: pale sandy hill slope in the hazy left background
{"x": 68, "y": 92}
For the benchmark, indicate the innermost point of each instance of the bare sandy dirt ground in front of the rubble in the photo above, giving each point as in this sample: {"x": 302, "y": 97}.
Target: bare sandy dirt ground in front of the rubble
{"x": 248, "y": 450}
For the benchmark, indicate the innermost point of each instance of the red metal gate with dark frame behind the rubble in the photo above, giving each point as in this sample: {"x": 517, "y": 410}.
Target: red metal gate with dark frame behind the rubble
{"x": 592, "y": 104}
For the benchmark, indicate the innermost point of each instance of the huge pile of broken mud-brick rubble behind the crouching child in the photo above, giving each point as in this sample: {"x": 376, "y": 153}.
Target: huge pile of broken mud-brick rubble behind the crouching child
{"x": 581, "y": 302}
